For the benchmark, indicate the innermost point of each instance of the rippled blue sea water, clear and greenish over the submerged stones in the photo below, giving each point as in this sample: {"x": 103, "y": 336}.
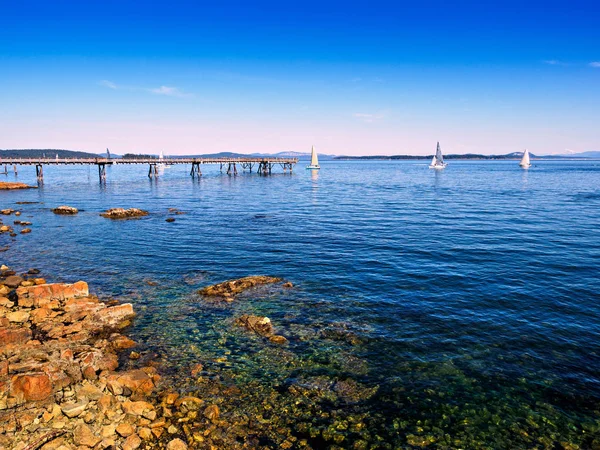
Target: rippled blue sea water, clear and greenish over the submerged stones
{"x": 441, "y": 309}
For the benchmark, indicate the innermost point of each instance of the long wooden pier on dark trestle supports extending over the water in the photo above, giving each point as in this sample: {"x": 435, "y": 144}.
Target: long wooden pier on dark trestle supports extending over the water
{"x": 264, "y": 166}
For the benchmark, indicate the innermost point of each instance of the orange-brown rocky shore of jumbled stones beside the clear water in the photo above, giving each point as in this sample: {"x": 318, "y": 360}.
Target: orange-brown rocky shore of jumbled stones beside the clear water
{"x": 60, "y": 383}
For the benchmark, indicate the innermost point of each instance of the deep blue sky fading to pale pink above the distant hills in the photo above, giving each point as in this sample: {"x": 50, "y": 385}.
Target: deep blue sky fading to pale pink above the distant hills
{"x": 351, "y": 78}
